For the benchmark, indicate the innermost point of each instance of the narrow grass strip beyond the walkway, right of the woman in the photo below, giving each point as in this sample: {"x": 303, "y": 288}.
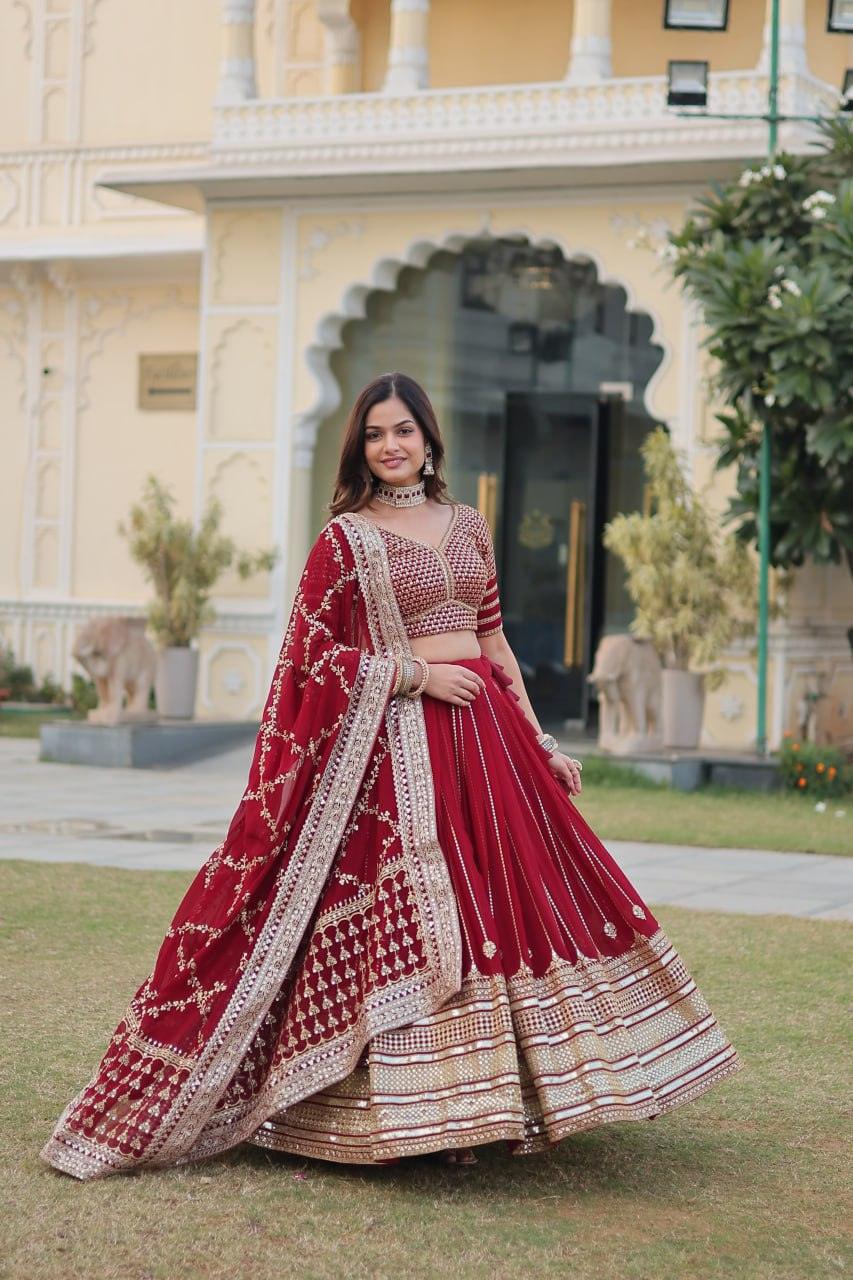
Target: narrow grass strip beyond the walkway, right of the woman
{"x": 622, "y": 806}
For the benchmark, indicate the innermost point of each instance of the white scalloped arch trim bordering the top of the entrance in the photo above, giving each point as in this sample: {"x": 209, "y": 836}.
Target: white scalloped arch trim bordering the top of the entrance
{"x": 384, "y": 278}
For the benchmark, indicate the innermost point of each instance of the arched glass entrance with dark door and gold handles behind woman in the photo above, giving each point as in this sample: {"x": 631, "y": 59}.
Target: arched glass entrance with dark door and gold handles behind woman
{"x": 537, "y": 371}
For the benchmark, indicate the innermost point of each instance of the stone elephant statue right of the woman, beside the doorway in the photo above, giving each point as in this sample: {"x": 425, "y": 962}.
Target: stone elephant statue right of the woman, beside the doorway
{"x": 627, "y": 675}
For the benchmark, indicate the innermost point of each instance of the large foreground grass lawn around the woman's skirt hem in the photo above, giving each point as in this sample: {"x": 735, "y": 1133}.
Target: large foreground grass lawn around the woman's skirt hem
{"x": 747, "y": 1183}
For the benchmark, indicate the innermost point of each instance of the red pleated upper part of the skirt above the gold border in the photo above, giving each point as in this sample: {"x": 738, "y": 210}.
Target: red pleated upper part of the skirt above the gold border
{"x": 532, "y": 880}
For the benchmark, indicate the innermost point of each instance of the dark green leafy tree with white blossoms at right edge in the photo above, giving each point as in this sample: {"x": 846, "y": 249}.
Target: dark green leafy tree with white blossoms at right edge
{"x": 769, "y": 259}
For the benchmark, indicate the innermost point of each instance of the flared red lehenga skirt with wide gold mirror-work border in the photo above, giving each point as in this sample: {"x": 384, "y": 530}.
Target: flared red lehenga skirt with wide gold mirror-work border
{"x": 576, "y": 1011}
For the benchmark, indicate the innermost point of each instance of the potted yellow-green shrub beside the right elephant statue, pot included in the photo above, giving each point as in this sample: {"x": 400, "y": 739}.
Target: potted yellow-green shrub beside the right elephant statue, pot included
{"x": 694, "y": 591}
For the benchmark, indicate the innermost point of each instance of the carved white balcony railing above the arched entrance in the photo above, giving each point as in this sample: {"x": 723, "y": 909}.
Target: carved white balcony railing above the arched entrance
{"x": 469, "y": 125}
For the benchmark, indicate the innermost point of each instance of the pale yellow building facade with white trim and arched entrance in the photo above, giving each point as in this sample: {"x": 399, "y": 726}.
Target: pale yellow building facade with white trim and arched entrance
{"x": 304, "y": 194}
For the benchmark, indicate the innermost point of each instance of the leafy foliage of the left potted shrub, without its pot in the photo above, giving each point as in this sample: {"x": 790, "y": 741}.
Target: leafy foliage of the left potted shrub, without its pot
{"x": 183, "y": 563}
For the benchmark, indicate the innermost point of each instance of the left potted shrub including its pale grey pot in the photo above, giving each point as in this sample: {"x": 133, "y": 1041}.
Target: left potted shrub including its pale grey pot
{"x": 184, "y": 564}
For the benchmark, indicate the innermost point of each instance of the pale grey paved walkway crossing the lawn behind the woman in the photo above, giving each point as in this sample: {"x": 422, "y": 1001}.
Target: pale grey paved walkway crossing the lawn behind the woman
{"x": 168, "y": 820}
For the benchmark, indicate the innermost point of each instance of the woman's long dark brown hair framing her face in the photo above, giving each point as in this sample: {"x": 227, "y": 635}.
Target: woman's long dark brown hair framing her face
{"x": 355, "y": 481}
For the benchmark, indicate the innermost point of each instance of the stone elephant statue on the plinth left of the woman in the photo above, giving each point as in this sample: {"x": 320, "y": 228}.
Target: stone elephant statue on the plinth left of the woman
{"x": 122, "y": 664}
